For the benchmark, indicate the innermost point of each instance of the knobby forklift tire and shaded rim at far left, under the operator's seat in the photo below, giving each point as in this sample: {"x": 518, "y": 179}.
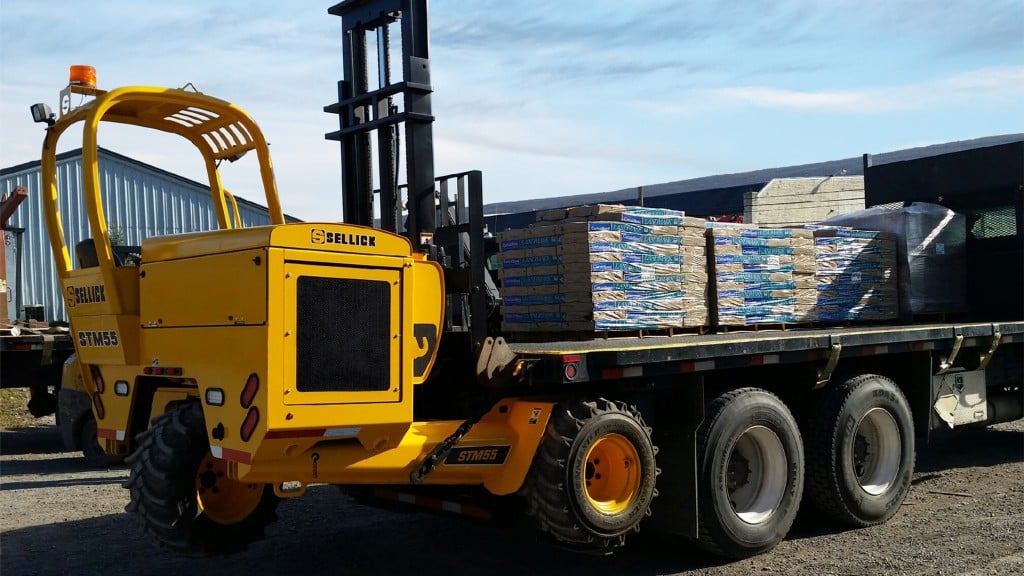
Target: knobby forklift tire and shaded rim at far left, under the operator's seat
{"x": 183, "y": 497}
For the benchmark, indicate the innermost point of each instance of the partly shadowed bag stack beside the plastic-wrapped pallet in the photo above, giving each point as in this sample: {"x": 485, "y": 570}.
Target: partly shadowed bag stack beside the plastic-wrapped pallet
{"x": 857, "y": 275}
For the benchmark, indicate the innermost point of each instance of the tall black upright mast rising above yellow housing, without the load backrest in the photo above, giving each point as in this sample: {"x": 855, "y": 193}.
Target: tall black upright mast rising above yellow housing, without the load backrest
{"x": 364, "y": 108}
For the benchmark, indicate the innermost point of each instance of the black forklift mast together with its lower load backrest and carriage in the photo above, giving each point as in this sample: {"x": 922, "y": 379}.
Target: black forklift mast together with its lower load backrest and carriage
{"x": 442, "y": 216}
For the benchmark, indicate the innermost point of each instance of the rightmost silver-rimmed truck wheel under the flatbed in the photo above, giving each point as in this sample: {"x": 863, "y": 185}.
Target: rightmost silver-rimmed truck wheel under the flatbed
{"x": 861, "y": 450}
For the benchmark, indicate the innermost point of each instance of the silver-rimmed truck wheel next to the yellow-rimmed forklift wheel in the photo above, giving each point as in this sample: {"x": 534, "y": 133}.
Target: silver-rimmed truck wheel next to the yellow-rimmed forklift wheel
{"x": 751, "y": 474}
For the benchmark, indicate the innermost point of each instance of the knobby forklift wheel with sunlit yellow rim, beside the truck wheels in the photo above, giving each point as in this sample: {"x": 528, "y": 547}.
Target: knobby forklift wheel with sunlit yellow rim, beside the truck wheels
{"x": 592, "y": 480}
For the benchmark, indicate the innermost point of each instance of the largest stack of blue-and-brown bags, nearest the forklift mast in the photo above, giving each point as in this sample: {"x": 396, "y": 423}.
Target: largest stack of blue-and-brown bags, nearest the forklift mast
{"x": 605, "y": 268}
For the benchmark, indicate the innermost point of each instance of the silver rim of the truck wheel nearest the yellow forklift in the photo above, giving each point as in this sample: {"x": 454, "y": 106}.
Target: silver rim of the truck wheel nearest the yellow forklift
{"x": 757, "y": 475}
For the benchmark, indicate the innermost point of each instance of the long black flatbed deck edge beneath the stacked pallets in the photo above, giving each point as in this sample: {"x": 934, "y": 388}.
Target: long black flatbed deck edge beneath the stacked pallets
{"x": 610, "y": 359}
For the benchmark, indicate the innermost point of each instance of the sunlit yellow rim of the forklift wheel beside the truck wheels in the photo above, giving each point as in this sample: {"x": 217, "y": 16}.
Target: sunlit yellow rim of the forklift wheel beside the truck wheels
{"x": 612, "y": 477}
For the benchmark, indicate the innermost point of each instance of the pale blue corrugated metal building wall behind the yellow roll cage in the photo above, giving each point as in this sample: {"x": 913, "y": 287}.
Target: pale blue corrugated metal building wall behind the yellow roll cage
{"x": 139, "y": 201}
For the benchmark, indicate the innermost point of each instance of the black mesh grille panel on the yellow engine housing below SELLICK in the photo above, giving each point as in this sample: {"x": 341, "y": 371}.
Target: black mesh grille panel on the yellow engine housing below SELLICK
{"x": 344, "y": 336}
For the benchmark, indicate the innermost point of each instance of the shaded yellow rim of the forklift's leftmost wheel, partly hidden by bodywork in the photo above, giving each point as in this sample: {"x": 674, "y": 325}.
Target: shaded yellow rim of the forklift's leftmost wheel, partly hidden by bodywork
{"x": 225, "y": 501}
